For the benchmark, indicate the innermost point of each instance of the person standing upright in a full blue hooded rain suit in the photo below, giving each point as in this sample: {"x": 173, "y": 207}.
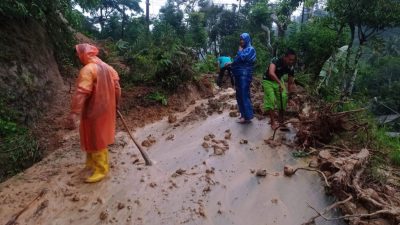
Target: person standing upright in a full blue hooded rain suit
{"x": 242, "y": 69}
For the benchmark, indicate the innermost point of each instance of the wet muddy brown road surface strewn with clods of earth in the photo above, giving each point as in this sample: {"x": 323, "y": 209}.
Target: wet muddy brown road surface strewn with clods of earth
{"x": 204, "y": 173}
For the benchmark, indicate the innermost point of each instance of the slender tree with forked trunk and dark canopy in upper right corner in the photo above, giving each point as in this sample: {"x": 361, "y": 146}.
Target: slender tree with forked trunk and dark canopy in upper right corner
{"x": 365, "y": 19}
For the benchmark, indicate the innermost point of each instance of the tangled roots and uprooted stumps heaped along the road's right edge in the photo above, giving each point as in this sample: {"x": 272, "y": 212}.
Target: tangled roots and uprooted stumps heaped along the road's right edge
{"x": 345, "y": 169}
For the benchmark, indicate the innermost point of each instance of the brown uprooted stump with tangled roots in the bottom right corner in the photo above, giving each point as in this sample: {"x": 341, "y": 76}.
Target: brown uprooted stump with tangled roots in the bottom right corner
{"x": 346, "y": 184}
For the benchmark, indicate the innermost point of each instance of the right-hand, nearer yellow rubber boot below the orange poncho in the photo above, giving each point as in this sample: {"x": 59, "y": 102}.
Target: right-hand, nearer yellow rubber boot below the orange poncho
{"x": 101, "y": 168}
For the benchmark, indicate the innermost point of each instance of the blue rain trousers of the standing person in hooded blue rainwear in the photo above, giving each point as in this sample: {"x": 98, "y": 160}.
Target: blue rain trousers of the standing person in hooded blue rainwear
{"x": 242, "y": 83}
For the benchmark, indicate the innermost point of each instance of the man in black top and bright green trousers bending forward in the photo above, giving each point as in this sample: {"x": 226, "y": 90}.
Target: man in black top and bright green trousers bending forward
{"x": 273, "y": 84}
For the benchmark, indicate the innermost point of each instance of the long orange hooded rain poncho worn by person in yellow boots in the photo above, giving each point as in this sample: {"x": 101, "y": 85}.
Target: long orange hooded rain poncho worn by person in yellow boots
{"x": 96, "y": 97}
